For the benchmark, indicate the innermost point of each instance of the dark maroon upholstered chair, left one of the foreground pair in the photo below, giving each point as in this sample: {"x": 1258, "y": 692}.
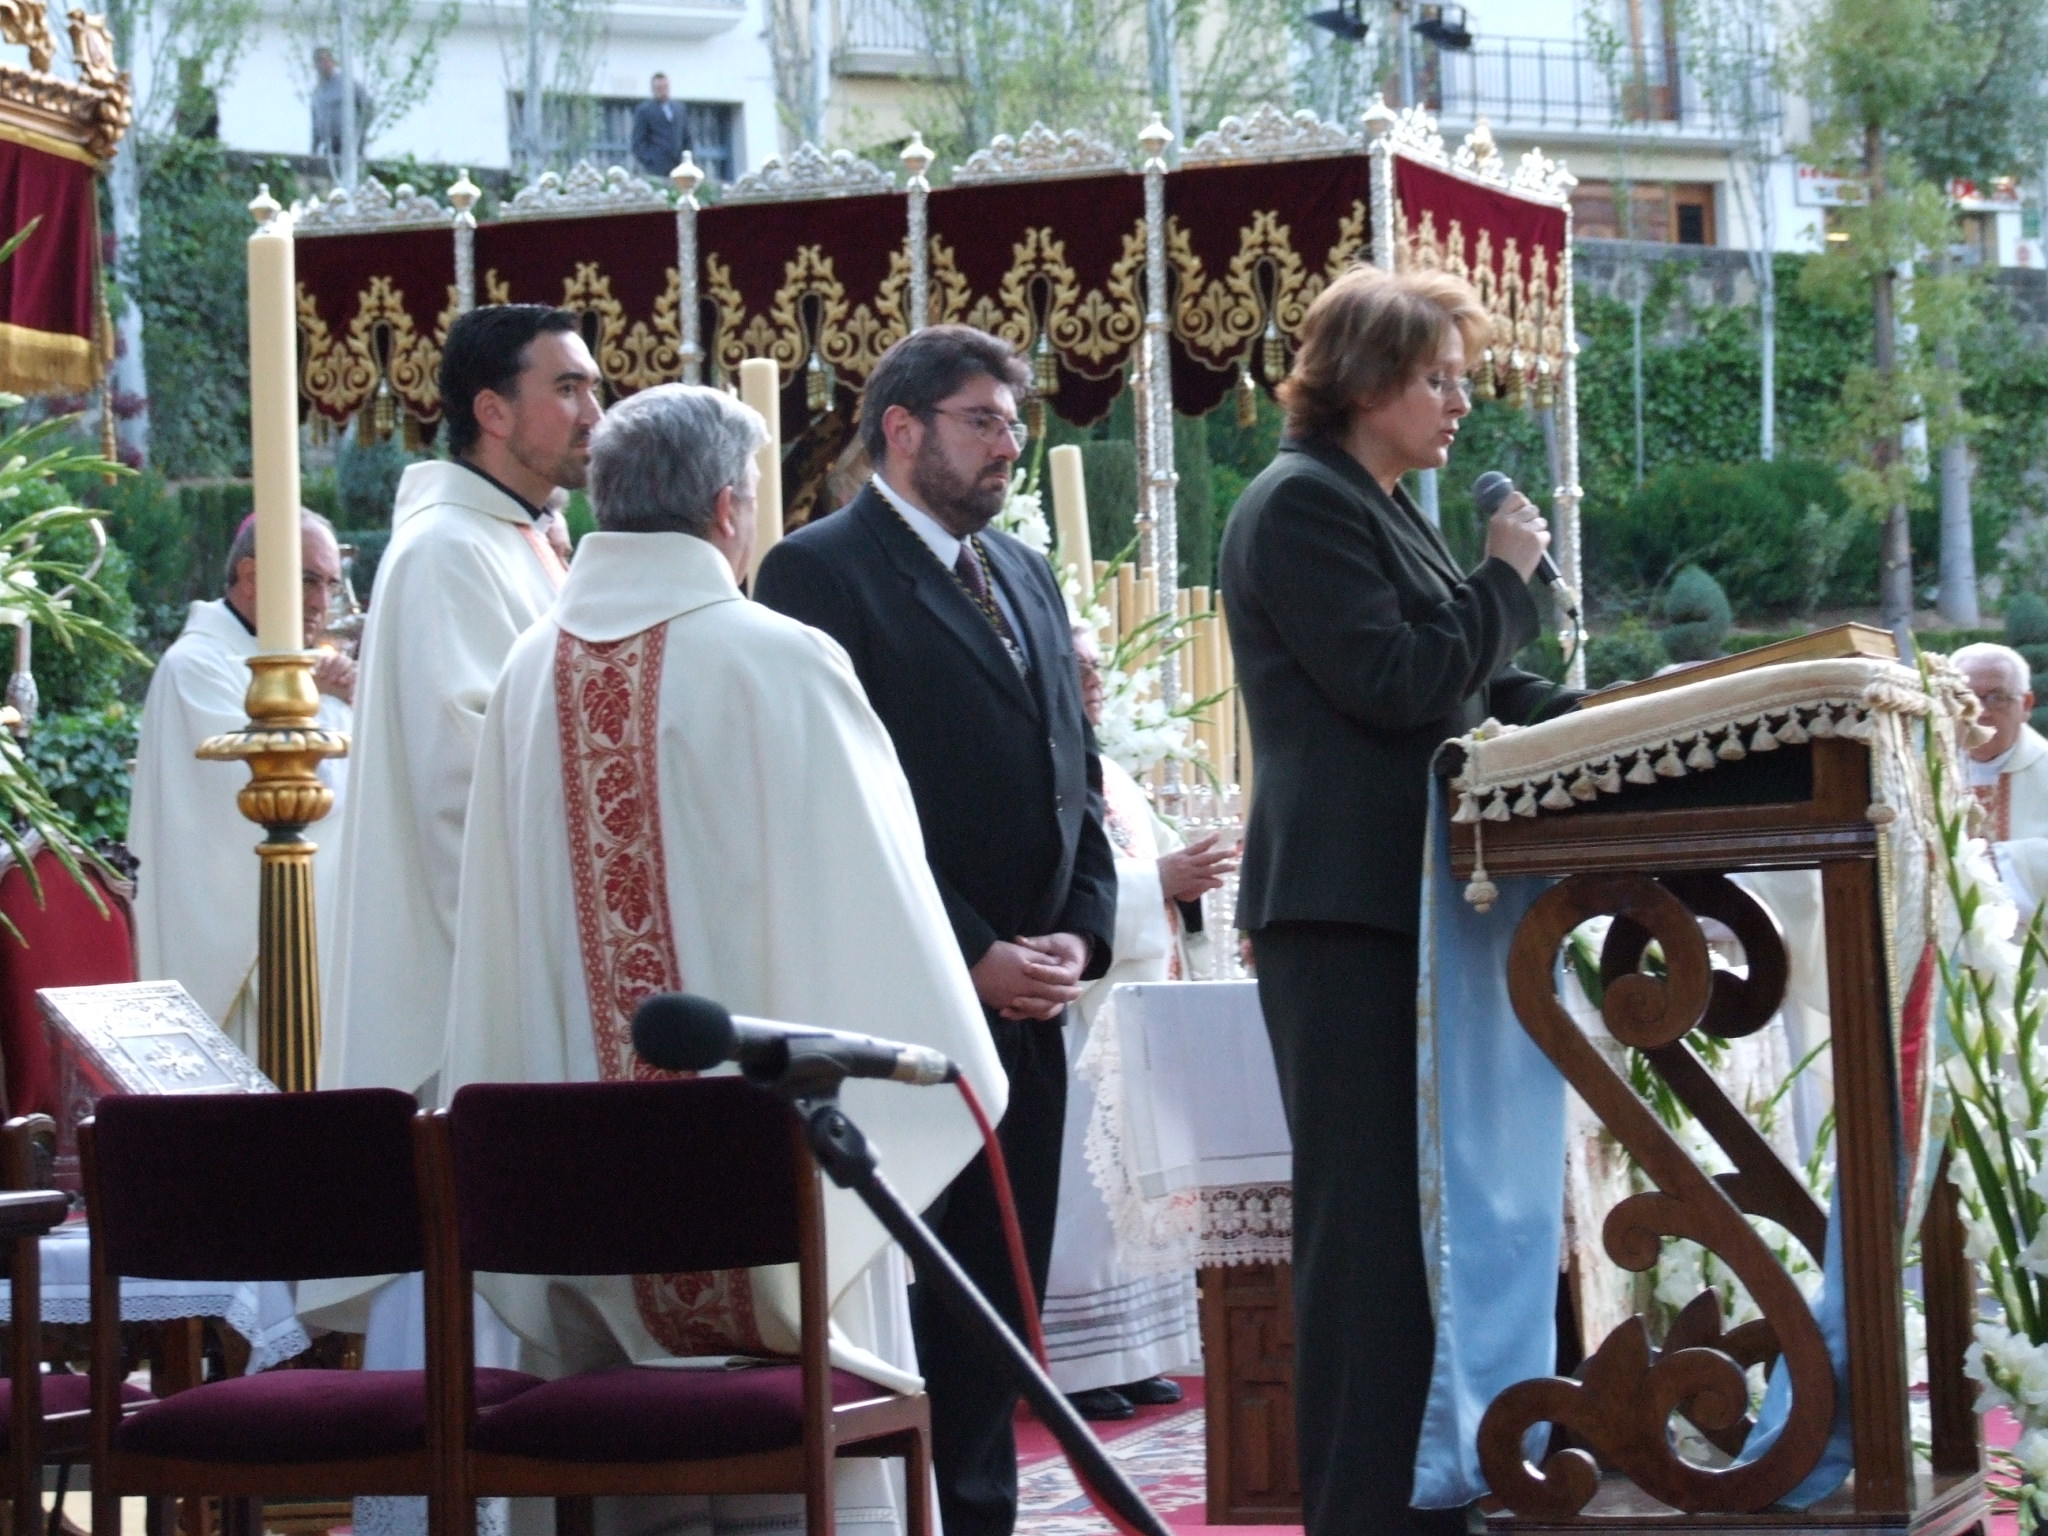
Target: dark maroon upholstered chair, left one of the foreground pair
{"x": 259, "y": 1187}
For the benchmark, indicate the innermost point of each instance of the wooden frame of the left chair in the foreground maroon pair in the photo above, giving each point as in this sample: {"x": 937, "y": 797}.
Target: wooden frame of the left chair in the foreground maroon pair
{"x": 239, "y": 1486}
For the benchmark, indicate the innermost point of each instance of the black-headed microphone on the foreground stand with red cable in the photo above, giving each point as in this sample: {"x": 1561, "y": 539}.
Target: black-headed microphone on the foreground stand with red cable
{"x": 677, "y": 1031}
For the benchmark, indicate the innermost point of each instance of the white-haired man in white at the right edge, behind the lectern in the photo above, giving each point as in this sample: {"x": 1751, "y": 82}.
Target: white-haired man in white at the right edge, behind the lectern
{"x": 2010, "y": 771}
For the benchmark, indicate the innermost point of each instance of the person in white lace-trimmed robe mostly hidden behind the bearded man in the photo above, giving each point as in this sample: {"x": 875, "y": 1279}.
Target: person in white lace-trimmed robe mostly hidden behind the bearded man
{"x": 1111, "y": 1336}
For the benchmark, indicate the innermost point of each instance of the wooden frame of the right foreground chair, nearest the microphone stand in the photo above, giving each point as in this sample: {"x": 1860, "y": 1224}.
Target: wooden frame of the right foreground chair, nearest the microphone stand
{"x": 886, "y": 1426}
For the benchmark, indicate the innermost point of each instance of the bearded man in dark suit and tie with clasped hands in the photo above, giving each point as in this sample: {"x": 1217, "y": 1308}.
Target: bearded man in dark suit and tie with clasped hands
{"x": 962, "y": 642}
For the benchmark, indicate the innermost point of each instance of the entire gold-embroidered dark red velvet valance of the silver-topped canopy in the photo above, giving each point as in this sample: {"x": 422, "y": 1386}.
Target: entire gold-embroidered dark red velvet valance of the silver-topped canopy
{"x": 1058, "y": 267}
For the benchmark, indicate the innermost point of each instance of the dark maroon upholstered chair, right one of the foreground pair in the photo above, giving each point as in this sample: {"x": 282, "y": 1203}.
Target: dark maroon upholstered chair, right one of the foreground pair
{"x": 646, "y": 1179}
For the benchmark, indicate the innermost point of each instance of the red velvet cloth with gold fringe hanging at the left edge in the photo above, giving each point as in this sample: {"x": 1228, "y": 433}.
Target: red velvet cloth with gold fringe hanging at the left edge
{"x": 48, "y": 288}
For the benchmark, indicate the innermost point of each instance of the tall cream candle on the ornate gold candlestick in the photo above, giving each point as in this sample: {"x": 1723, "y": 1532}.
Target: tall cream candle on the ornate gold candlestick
{"x": 275, "y": 431}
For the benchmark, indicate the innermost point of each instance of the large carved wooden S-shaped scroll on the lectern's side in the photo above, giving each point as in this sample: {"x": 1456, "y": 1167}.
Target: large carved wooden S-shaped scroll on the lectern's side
{"x": 1629, "y": 1392}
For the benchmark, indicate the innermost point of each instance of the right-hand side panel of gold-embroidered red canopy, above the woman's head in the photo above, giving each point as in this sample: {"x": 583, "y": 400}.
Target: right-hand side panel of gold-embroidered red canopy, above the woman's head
{"x": 1512, "y": 251}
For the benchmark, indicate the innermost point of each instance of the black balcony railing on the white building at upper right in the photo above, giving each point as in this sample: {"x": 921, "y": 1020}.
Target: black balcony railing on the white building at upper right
{"x": 1535, "y": 83}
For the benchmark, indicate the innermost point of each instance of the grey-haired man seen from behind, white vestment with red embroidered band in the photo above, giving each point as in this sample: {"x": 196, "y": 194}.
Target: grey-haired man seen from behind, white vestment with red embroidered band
{"x": 681, "y": 790}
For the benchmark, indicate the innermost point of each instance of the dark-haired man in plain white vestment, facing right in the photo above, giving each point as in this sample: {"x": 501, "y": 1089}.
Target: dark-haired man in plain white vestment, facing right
{"x": 468, "y": 570}
